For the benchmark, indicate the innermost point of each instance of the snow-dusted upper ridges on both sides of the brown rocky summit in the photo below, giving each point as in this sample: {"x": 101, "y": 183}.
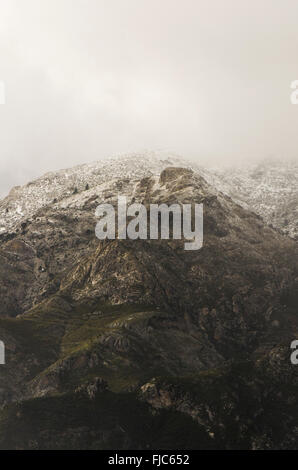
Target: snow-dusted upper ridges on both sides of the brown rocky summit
{"x": 269, "y": 189}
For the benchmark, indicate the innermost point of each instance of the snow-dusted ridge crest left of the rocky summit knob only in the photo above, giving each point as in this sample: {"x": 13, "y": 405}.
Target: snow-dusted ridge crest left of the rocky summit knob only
{"x": 54, "y": 187}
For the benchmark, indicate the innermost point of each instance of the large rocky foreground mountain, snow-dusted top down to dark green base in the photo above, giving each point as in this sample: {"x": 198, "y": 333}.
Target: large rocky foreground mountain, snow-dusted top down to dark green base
{"x": 141, "y": 344}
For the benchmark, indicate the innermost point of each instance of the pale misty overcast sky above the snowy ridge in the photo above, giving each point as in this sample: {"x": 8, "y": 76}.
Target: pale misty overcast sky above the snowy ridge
{"x": 209, "y": 79}
